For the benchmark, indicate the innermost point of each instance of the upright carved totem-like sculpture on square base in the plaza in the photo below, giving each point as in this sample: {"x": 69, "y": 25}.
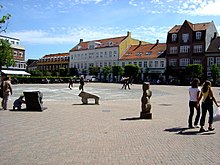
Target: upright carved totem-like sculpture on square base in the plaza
{"x": 145, "y": 102}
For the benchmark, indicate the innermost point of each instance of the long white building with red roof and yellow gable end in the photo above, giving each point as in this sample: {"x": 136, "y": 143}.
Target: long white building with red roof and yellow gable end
{"x": 99, "y": 53}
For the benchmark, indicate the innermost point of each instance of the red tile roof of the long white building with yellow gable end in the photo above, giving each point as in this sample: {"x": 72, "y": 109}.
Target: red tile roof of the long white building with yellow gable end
{"x": 99, "y": 43}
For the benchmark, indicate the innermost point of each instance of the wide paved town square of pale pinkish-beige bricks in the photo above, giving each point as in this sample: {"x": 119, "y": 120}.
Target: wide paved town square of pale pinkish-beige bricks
{"x": 69, "y": 133}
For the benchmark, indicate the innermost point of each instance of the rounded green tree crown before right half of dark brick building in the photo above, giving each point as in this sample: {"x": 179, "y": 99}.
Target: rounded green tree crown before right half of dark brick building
{"x": 194, "y": 70}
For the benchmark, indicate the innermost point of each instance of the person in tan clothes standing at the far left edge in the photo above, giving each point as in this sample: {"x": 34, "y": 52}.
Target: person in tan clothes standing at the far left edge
{"x": 7, "y": 90}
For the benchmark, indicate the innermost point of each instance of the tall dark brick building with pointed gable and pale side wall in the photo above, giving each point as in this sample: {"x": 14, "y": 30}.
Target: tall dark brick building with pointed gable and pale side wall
{"x": 187, "y": 44}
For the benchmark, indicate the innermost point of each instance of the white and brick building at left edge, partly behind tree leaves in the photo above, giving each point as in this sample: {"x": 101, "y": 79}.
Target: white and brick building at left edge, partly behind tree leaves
{"x": 18, "y": 51}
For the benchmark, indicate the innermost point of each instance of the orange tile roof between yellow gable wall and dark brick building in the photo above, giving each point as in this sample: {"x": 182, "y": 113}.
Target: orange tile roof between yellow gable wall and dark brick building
{"x": 146, "y": 51}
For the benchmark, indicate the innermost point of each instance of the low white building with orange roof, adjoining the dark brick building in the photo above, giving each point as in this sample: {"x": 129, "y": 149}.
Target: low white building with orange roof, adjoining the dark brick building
{"x": 149, "y": 57}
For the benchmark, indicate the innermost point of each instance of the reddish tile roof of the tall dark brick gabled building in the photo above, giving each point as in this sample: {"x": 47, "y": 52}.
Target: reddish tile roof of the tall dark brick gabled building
{"x": 194, "y": 27}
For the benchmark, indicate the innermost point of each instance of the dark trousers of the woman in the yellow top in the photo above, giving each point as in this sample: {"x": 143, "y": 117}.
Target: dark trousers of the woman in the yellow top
{"x": 207, "y": 107}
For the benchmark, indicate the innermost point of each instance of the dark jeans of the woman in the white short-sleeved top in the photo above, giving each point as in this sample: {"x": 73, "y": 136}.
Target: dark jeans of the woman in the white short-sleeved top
{"x": 192, "y": 105}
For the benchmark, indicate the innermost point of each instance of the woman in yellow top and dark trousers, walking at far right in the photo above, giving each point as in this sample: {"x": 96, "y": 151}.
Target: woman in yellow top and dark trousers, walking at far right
{"x": 207, "y": 105}
